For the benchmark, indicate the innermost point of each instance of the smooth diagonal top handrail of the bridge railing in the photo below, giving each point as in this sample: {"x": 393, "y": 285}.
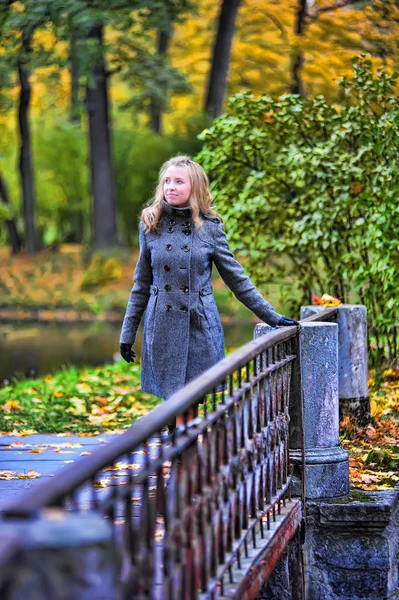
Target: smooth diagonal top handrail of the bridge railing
{"x": 85, "y": 468}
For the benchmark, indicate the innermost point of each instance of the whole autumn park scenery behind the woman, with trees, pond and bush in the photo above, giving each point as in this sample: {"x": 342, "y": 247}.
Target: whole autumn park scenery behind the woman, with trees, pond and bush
{"x": 94, "y": 96}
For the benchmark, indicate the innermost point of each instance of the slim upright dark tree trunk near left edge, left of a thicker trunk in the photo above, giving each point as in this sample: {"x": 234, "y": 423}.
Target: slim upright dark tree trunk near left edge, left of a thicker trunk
{"x": 25, "y": 157}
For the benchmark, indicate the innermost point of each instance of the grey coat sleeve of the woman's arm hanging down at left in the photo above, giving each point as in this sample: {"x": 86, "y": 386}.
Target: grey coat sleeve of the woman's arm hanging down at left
{"x": 140, "y": 293}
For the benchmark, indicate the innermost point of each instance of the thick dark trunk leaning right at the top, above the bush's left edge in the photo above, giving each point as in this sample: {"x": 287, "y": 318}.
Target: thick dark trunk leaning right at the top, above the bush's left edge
{"x": 217, "y": 82}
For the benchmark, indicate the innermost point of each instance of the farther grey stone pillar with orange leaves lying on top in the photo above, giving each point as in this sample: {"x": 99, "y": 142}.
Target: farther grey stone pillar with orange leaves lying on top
{"x": 352, "y": 360}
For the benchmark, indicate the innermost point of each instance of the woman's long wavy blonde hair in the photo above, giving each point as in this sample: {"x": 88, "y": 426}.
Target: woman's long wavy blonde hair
{"x": 200, "y": 199}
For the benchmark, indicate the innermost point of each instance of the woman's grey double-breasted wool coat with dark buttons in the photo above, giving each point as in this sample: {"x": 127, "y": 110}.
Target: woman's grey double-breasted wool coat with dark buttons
{"x": 183, "y": 334}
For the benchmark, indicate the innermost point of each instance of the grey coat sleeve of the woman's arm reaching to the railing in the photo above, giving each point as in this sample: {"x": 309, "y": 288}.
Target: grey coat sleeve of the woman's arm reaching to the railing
{"x": 240, "y": 284}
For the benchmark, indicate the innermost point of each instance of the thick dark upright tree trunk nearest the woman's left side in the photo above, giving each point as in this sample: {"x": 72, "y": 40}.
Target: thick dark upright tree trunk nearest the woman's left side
{"x": 102, "y": 179}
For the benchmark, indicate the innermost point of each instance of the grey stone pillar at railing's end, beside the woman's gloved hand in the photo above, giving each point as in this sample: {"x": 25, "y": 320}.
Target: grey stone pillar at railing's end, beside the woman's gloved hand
{"x": 326, "y": 463}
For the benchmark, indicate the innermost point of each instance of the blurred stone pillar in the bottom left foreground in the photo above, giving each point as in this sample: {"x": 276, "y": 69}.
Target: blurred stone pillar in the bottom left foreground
{"x": 58, "y": 555}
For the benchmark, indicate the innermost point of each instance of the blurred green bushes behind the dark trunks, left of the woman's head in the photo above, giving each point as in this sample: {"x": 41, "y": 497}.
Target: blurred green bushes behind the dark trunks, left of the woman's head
{"x": 63, "y": 179}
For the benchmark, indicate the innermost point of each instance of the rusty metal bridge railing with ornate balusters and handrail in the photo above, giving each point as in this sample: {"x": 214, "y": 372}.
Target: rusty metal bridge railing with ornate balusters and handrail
{"x": 191, "y": 518}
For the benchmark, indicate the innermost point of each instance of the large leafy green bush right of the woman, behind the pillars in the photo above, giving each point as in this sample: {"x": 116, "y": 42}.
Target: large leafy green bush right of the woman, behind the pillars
{"x": 317, "y": 183}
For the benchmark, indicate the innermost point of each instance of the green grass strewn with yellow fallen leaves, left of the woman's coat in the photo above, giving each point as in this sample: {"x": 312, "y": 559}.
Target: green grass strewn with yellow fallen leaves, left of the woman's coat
{"x": 76, "y": 400}
